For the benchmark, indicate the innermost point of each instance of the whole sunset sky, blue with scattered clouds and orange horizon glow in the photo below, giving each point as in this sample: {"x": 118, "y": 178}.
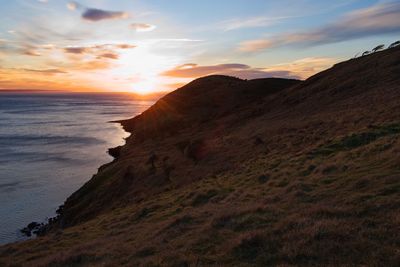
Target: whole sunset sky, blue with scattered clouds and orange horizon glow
{"x": 146, "y": 46}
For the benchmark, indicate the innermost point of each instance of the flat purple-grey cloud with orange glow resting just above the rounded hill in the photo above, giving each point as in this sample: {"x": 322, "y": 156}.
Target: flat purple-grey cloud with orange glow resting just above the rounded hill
{"x": 238, "y": 70}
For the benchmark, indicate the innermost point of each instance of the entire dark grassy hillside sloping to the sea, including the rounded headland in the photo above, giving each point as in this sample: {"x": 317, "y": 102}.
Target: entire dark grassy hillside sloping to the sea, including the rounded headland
{"x": 229, "y": 172}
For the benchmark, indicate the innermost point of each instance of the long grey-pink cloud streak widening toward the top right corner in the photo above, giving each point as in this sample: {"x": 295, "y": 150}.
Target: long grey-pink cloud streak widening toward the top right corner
{"x": 376, "y": 20}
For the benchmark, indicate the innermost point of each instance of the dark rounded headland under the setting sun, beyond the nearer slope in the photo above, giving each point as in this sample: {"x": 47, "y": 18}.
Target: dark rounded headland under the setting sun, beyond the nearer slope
{"x": 203, "y": 99}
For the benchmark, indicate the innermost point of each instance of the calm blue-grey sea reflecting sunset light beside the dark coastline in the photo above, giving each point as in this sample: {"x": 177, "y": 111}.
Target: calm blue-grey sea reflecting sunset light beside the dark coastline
{"x": 50, "y": 144}
